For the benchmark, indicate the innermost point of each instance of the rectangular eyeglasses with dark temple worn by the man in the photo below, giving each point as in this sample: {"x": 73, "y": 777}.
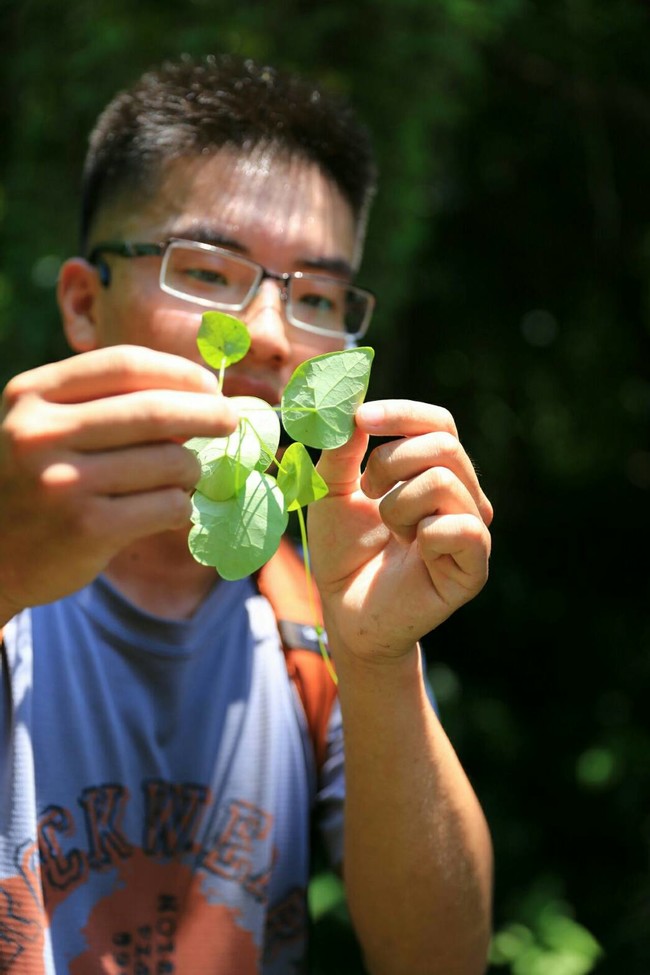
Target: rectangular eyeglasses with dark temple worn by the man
{"x": 216, "y": 278}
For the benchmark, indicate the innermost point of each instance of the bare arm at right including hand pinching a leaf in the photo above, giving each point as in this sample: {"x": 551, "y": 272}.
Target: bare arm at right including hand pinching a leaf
{"x": 395, "y": 553}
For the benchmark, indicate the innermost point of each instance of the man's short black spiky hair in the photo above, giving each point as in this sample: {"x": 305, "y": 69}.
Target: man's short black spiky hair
{"x": 192, "y": 107}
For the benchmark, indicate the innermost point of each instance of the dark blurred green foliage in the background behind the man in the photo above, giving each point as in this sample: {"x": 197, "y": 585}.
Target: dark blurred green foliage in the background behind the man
{"x": 510, "y": 251}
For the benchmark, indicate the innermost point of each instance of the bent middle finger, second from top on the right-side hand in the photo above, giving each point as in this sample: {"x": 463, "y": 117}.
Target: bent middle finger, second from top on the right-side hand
{"x": 404, "y": 459}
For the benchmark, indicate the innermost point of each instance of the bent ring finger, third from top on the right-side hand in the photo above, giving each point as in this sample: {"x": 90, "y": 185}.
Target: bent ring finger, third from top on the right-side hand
{"x": 434, "y": 492}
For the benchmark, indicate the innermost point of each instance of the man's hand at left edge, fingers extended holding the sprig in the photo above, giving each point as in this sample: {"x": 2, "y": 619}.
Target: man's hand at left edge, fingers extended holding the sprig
{"x": 91, "y": 459}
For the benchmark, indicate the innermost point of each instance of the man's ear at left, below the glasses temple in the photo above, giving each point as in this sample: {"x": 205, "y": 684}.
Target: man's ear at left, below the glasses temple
{"x": 78, "y": 289}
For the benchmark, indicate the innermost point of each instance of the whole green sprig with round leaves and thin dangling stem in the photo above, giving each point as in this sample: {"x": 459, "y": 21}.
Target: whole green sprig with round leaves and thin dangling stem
{"x": 240, "y": 511}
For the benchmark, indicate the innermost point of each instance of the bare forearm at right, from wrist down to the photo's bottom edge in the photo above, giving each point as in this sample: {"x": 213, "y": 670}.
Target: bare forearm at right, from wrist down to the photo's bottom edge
{"x": 418, "y": 860}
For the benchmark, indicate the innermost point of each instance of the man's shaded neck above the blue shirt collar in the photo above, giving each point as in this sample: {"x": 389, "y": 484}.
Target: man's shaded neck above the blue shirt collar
{"x": 159, "y": 575}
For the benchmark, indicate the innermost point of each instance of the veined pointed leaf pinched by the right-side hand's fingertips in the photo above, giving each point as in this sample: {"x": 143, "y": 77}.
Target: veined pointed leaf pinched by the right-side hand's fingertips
{"x": 322, "y": 396}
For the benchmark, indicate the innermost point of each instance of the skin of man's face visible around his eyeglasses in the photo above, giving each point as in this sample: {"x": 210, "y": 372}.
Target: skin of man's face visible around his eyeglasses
{"x": 284, "y": 214}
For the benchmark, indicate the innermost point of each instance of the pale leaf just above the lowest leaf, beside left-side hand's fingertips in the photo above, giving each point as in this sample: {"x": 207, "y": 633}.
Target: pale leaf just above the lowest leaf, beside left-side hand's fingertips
{"x": 225, "y": 461}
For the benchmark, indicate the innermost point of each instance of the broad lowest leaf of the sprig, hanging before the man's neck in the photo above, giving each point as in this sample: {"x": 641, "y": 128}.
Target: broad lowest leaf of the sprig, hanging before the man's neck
{"x": 239, "y": 535}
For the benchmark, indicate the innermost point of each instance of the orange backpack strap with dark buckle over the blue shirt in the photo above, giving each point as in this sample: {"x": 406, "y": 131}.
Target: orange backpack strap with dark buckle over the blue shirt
{"x": 284, "y": 583}
